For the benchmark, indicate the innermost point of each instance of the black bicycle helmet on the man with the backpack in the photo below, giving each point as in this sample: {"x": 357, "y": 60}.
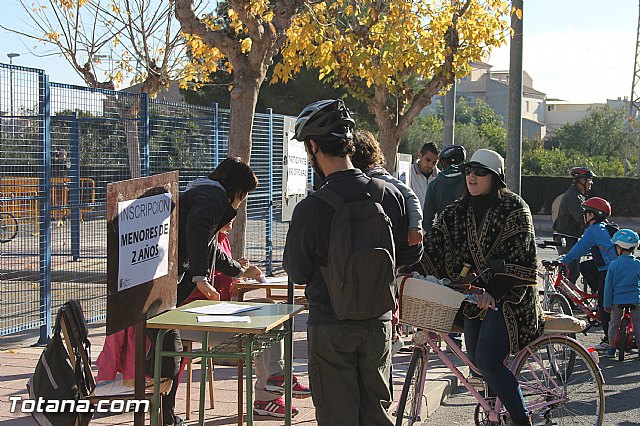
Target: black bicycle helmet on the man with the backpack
{"x": 327, "y": 118}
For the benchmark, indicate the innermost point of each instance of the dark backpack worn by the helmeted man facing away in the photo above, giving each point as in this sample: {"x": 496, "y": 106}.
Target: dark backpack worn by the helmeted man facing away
{"x": 360, "y": 268}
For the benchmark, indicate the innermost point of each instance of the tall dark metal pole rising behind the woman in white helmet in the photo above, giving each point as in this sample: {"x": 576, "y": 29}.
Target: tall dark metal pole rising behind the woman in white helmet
{"x": 514, "y": 129}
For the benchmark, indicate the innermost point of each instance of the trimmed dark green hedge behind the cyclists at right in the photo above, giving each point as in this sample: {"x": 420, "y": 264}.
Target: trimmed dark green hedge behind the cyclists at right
{"x": 623, "y": 193}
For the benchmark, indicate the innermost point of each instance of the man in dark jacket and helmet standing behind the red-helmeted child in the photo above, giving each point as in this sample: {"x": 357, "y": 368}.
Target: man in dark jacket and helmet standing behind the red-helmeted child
{"x": 569, "y": 225}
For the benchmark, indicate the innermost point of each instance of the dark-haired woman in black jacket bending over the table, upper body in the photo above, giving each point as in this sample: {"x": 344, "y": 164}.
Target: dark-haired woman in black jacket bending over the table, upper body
{"x": 206, "y": 206}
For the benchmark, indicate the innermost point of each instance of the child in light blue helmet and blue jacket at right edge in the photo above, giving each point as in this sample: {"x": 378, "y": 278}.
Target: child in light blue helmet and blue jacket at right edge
{"x": 622, "y": 285}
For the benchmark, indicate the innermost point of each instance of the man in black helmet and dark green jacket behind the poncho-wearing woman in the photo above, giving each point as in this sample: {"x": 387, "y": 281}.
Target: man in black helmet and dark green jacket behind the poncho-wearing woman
{"x": 448, "y": 186}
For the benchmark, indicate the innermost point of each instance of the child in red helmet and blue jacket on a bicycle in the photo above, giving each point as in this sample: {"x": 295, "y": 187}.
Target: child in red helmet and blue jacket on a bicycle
{"x": 597, "y": 241}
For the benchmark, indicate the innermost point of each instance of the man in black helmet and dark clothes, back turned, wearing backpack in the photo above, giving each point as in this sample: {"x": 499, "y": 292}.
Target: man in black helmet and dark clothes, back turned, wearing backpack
{"x": 347, "y": 389}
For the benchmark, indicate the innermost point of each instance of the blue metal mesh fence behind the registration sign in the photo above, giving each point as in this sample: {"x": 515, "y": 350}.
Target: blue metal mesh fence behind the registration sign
{"x": 60, "y": 145}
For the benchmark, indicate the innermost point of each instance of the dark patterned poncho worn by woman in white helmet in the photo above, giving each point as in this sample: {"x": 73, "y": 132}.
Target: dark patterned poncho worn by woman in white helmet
{"x": 504, "y": 232}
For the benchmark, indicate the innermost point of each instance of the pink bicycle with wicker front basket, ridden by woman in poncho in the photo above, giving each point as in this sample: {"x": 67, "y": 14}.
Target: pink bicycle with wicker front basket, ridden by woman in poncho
{"x": 559, "y": 378}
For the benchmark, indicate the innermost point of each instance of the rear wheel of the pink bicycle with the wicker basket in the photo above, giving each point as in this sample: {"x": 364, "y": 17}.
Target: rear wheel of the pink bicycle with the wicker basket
{"x": 555, "y": 395}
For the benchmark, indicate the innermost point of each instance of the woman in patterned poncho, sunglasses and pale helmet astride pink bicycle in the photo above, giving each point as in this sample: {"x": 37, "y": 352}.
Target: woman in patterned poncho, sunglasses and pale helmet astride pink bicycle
{"x": 490, "y": 222}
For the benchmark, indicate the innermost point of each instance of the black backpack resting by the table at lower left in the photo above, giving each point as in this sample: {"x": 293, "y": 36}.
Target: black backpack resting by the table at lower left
{"x": 57, "y": 377}
